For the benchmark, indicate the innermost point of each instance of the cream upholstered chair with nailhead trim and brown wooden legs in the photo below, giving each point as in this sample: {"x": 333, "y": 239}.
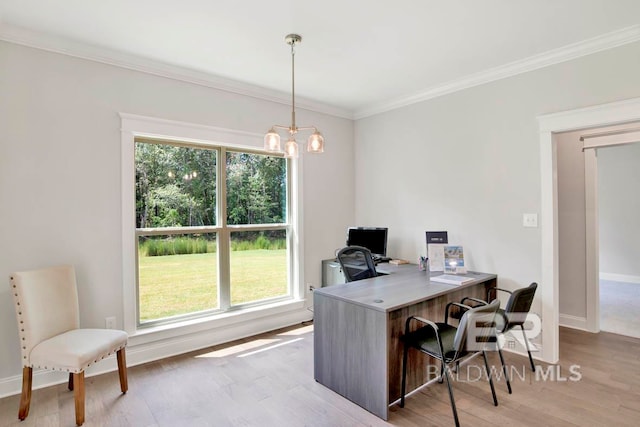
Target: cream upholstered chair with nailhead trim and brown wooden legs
{"x": 46, "y": 303}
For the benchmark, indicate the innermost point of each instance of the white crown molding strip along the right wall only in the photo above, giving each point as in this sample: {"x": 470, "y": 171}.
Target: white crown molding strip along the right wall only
{"x": 555, "y": 56}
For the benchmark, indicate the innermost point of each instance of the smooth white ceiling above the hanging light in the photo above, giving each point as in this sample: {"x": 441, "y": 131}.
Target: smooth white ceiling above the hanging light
{"x": 357, "y": 57}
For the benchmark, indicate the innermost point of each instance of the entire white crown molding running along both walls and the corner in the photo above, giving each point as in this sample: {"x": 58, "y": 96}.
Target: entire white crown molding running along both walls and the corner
{"x": 64, "y": 46}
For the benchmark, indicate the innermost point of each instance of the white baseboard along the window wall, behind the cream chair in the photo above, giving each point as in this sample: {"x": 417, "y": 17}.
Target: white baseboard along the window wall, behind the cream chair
{"x": 150, "y": 351}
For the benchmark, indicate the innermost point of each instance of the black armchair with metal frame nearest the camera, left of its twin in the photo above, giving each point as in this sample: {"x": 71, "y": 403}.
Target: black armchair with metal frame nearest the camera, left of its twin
{"x": 449, "y": 344}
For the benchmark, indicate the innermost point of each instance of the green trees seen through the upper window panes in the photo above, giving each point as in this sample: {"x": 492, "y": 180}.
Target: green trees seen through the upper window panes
{"x": 176, "y": 186}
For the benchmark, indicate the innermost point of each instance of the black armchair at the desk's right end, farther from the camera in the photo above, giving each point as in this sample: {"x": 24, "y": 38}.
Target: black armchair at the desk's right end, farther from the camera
{"x": 514, "y": 314}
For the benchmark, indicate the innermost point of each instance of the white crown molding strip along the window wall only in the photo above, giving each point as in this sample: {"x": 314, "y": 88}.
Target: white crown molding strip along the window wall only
{"x": 21, "y": 36}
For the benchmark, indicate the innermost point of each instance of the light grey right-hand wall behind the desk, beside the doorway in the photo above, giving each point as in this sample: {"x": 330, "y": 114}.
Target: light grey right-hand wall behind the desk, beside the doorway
{"x": 469, "y": 162}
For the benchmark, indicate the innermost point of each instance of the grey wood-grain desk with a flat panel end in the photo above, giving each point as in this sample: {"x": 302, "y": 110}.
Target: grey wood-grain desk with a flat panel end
{"x": 357, "y": 329}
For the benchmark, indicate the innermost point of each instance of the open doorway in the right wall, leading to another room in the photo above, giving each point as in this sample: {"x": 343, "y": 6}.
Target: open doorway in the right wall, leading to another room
{"x": 587, "y": 158}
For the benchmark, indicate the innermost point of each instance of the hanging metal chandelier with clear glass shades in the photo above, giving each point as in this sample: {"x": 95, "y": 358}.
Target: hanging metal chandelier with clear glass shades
{"x": 315, "y": 143}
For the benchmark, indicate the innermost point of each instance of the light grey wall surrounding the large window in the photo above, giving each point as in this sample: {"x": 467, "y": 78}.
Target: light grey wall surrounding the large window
{"x": 60, "y": 172}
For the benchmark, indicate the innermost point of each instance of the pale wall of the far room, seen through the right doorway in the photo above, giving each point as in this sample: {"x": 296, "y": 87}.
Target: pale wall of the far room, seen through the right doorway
{"x": 619, "y": 210}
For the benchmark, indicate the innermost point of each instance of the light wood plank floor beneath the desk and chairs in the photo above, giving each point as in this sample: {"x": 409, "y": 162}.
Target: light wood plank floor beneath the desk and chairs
{"x": 268, "y": 381}
